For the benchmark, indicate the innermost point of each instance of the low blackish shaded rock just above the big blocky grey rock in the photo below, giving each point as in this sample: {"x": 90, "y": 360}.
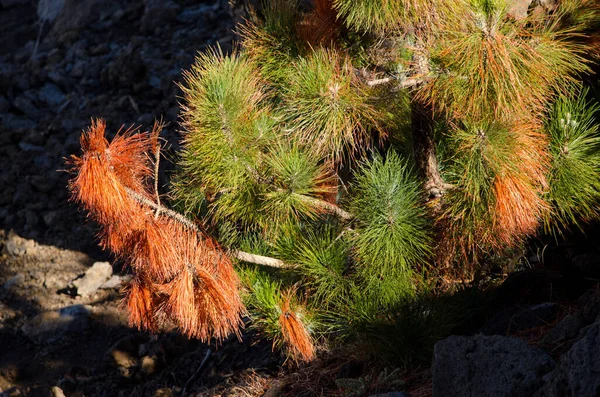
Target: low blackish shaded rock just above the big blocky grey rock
{"x": 518, "y": 319}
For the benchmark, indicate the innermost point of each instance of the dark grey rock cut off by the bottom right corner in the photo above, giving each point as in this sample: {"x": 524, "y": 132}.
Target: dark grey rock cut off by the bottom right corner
{"x": 578, "y": 374}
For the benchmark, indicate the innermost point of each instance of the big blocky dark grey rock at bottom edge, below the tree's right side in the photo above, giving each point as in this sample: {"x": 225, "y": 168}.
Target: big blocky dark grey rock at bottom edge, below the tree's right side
{"x": 490, "y": 366}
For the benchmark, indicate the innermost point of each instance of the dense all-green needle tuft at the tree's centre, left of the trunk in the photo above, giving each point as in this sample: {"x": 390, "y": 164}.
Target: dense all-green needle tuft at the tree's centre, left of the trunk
{"x": 393, "y": 232}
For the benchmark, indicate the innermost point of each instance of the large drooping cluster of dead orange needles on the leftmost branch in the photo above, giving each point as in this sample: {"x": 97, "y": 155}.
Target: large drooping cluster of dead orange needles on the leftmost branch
{"x": 180, "y": 276}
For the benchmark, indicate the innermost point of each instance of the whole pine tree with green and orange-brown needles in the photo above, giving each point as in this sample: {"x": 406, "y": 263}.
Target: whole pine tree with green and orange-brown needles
{"x": 347, "y": 156}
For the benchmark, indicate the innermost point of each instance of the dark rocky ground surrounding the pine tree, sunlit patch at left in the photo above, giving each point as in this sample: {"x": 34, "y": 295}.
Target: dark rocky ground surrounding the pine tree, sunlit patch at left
{"x": 61, "y": 330}
